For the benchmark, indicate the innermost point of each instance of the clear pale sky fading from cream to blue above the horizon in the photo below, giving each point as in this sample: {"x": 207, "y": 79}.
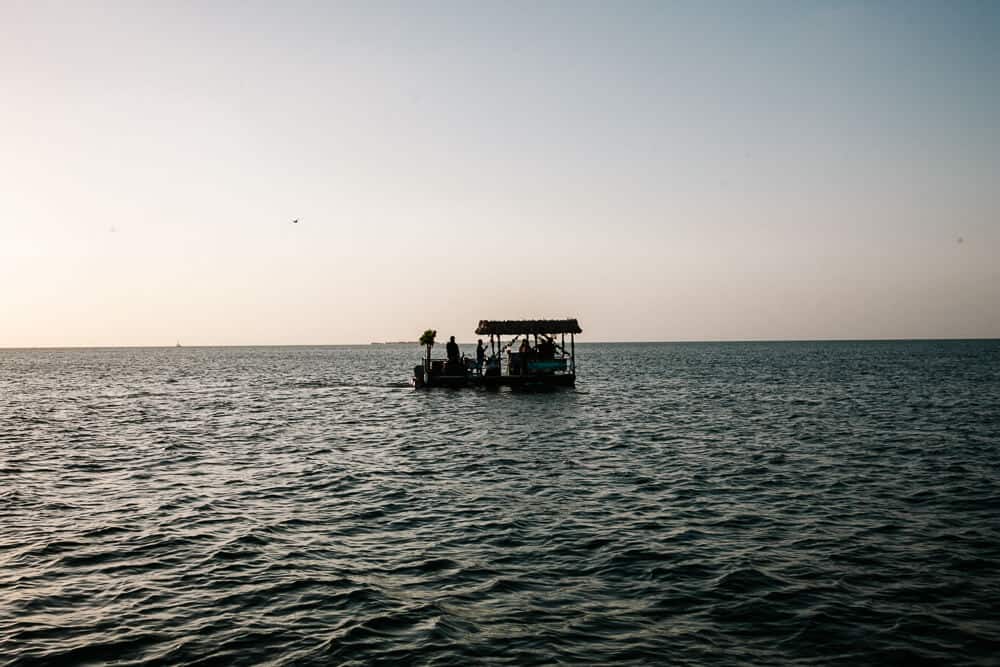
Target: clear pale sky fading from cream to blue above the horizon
{"x": 661, "y": 171}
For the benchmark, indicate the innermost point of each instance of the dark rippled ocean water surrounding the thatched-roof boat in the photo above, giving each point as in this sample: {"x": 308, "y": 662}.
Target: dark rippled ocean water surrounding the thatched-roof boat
{"x": 752, "y": 503}
